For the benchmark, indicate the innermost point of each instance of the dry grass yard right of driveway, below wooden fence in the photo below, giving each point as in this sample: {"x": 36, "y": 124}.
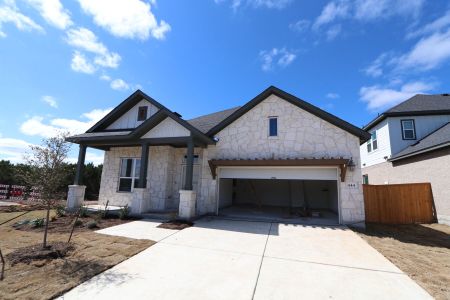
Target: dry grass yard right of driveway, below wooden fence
{"x": 421, "y": 251}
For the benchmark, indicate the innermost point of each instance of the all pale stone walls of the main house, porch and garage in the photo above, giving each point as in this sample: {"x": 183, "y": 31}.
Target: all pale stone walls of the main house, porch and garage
{"x": 300, "y": 135}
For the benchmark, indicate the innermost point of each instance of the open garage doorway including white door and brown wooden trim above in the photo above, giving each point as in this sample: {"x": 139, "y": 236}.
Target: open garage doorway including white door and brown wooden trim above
{"x": 280, "y": 191}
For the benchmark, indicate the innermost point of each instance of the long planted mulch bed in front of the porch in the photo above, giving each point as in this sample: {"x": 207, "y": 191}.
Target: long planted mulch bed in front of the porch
{"x": 64, "y": 223}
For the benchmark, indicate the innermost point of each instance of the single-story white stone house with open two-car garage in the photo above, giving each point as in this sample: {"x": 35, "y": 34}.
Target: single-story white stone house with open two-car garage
{"x": 276, "y": 151}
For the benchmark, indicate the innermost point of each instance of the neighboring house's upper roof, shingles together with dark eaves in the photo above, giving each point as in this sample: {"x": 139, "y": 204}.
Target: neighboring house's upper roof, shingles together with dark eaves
{"x": 418, "y": 105}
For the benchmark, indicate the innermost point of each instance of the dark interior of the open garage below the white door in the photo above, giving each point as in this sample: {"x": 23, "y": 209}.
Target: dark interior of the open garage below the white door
{"x": 293, "y": 200}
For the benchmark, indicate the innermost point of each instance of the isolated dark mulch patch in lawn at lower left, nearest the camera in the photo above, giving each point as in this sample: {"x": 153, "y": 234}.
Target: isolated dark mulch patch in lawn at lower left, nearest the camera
{"x": 37, "y": 252}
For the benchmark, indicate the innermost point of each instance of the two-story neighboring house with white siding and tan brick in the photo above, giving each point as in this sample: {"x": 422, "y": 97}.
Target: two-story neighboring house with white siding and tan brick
{"x": 411, "y": 143}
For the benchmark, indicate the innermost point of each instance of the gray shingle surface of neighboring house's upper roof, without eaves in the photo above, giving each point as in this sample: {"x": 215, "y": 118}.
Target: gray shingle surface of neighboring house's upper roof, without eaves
{"x": 422, "y": 102}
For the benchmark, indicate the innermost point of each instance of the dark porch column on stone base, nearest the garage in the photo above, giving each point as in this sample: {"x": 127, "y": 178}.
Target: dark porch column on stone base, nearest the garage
{"x": 188, "y": 197}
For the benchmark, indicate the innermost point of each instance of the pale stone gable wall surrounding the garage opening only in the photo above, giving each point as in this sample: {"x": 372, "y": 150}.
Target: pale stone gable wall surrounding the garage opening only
{"x": 300, "y": 135}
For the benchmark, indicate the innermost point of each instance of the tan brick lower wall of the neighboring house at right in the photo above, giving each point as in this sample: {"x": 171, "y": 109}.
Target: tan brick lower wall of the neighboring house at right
{"x": 430, "y": 167}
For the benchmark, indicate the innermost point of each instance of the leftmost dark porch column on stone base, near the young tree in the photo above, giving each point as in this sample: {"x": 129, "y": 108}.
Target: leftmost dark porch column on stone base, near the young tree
{"x": 75, "y": 195}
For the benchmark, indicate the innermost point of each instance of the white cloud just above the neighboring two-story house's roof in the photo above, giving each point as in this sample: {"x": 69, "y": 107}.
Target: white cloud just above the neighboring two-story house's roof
{"x": 377, "y": 97}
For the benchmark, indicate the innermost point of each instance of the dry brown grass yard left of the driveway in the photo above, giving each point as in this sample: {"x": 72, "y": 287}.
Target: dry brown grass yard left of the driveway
{"x": 46, "y": 279}
